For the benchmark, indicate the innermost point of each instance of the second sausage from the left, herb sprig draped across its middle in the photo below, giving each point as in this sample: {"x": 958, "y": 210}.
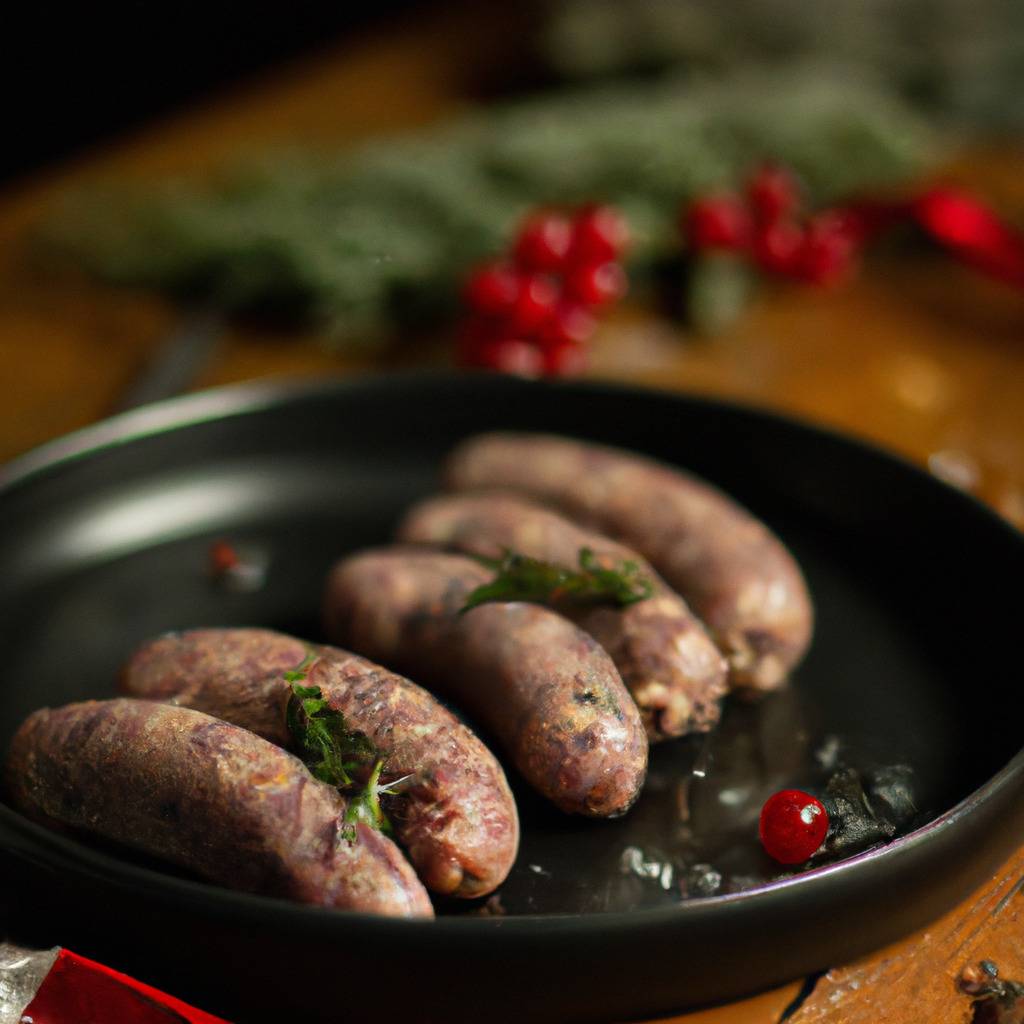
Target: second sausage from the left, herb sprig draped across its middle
{"x": 457, "y": 819}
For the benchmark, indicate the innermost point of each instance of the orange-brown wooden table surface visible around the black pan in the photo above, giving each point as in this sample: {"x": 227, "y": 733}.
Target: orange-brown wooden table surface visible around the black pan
{"x": 927, "y": 359}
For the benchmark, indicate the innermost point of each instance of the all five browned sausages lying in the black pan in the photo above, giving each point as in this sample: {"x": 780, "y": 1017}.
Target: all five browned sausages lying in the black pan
{"x": 193, "y": 764}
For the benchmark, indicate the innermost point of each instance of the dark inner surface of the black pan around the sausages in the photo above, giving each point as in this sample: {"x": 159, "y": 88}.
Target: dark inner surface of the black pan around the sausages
{"x": 103, "y": 553}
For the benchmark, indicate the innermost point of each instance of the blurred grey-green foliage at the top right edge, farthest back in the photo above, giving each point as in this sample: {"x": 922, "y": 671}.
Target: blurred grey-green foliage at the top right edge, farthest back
{"x": 961, "y": 62}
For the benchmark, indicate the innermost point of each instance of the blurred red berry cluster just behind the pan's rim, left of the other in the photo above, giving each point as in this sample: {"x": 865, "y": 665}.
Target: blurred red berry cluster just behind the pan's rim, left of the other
{"x": 534, "y": 313}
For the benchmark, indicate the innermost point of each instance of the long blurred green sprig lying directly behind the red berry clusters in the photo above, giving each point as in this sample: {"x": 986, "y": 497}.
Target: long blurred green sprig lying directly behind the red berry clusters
{"x": 368, "y": 242}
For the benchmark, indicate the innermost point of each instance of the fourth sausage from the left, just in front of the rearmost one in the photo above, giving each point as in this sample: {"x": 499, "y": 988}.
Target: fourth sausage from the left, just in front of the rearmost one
{"x": 662, "y": 651}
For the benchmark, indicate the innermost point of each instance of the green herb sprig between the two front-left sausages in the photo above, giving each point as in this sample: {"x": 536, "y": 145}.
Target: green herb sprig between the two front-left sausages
{"x": 337, "y": 755}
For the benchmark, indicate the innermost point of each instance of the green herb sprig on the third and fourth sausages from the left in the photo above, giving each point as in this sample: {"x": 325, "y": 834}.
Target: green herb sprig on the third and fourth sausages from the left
{"x": 523, "y": 579}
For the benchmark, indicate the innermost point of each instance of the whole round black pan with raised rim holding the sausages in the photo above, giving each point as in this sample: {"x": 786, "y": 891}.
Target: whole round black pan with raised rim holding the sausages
{"x": 103, "y": 544}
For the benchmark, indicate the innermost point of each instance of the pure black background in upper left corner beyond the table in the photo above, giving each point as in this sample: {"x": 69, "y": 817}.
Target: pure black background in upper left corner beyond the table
{"x": 74, "y": 74}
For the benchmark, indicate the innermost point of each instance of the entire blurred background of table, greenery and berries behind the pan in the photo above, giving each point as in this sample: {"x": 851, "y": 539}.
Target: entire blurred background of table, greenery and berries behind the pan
{"x": 815, "y": 207}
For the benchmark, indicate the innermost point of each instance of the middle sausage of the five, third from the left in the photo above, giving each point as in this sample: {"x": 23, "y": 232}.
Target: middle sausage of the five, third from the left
{"x": 546, "y": 690}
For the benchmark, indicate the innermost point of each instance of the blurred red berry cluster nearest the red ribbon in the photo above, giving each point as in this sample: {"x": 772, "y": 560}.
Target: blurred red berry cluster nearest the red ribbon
{"x": 770, "y": 226}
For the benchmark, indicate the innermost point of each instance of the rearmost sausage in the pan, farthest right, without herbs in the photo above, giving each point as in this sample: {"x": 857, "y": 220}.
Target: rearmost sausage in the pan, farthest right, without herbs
{"x": 727, "y": 565}
